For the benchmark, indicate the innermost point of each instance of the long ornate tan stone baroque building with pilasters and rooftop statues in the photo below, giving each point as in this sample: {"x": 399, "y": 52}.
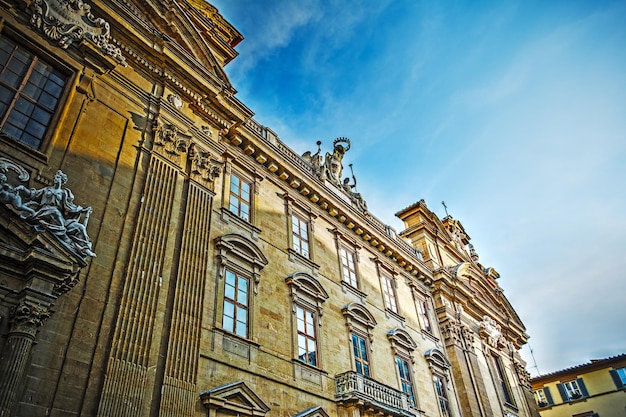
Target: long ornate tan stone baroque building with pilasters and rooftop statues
{"x": 164, "y": 254}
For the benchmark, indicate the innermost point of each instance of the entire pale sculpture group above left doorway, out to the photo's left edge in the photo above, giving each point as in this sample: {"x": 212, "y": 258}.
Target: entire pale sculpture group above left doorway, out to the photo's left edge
{"x": 51, "y": 208}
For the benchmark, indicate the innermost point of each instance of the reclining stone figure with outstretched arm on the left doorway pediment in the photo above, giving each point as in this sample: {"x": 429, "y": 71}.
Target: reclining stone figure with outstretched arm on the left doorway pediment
{"x": 53, "y": 208}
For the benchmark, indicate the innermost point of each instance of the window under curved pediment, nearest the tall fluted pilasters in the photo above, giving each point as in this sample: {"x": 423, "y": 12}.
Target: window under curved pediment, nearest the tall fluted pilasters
{"x": 236, "y": 304}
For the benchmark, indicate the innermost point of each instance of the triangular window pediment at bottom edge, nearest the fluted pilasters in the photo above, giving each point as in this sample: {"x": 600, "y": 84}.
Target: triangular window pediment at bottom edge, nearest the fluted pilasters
{"x": 236, "y": 397}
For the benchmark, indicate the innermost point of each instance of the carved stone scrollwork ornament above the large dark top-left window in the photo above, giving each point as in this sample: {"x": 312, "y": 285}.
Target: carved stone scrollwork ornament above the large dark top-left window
{"x": 70, "y": 21}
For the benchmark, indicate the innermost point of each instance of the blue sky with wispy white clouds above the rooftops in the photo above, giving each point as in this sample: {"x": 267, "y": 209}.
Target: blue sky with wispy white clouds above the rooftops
{"x": 513, "y": 112}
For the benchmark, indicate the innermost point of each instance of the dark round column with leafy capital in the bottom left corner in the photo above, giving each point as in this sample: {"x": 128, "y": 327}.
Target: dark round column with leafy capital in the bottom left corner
{"x": 26, "y": 318}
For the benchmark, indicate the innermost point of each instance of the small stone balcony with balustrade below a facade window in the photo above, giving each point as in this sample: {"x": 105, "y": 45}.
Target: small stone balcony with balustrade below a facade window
{"x": 353, "y": 387}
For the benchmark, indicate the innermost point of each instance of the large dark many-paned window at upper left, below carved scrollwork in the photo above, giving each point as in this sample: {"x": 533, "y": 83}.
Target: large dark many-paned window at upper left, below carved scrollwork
{"x": 30, "y": 89}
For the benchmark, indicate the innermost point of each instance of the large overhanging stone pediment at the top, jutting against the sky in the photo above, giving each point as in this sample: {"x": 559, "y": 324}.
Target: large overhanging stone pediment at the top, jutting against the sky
{"x": 196, "y": 28}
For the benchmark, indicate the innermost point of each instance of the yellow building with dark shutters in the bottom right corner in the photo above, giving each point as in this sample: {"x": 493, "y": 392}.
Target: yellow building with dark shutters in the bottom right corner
{"x": 594, "y": 389}
